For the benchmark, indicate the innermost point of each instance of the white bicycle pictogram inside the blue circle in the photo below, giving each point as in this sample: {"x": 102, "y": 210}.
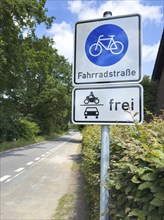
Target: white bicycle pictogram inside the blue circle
{"x": 115, "y": 47}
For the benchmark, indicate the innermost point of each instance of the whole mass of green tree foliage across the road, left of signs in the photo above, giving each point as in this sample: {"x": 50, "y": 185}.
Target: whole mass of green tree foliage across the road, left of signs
{"x": 35, "y": 82}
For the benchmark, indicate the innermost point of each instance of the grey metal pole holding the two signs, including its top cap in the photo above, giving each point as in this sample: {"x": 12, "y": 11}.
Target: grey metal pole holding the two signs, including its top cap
{"x": 104, "y": 167}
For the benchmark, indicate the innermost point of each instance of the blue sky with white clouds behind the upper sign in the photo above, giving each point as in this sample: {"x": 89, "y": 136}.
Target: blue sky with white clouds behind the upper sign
{"x": 67, "y": 13}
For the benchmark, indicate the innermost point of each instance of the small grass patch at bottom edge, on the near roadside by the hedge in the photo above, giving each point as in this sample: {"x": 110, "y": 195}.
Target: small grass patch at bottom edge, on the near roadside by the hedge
{"x": 64, "y": 208}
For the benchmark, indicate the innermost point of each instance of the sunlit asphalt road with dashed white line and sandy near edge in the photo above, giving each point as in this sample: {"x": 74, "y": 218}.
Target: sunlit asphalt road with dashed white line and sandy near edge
{"x": 34, "y": 178}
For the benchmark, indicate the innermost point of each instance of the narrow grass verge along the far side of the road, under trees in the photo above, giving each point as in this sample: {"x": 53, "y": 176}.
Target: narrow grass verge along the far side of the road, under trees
{"x": 22, "y": 142}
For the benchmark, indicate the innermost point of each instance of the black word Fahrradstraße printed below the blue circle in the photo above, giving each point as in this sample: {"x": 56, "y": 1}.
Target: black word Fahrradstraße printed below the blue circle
{"x": 107, "y": 74}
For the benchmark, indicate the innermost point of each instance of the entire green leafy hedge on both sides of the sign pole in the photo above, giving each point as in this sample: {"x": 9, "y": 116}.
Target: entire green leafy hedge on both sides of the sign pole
{"x": 136, "y": 171}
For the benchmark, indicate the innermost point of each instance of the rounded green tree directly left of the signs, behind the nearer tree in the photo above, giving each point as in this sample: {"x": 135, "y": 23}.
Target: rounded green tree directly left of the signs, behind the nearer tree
{"x": 46, "y": 90}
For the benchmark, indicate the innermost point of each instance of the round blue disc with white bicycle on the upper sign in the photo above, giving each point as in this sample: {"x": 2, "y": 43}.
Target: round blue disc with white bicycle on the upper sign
{"x": 106, "y": 45}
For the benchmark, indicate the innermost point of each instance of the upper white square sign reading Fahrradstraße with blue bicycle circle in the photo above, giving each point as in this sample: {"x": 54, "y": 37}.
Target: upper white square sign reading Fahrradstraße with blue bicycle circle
{"x": 108, "y": 50}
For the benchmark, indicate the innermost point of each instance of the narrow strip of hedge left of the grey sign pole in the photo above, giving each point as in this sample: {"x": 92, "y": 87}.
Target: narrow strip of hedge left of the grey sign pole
{"x": 91, "y": 167}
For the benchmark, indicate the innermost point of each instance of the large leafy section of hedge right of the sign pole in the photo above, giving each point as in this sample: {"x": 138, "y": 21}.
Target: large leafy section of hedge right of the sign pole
{"x": 137, "y": 165}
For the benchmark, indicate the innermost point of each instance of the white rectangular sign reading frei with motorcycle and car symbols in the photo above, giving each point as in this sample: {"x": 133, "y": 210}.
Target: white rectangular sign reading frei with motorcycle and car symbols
{"x": 108, "y": 105}
